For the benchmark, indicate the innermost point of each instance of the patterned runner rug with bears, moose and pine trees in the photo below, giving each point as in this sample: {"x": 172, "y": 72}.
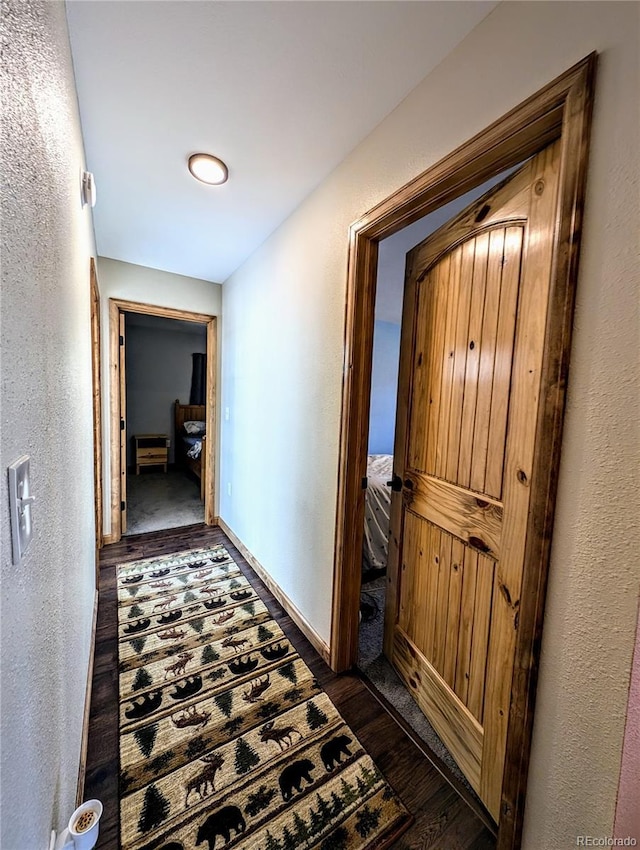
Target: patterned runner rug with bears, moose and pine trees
{"x": 226, "y": 739}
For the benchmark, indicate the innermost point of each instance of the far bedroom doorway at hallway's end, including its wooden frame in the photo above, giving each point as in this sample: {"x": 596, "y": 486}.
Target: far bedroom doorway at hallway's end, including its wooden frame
{"x": 162, "y": 463}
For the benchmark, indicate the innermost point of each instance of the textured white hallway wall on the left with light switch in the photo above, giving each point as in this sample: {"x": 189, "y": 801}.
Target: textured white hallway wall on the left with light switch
{"x": 47, "y": 601}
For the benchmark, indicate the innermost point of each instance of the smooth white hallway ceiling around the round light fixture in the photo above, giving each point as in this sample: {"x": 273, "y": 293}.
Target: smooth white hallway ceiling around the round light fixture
{"x": 281, "y": 91}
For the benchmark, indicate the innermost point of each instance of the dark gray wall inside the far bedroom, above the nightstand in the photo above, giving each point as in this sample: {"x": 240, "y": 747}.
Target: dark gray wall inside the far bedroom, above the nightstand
{"x": 159, "y": 367}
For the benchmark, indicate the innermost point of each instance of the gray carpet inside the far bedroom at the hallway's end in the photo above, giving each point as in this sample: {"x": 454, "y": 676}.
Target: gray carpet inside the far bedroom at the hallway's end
{"x": 158, "y": 500}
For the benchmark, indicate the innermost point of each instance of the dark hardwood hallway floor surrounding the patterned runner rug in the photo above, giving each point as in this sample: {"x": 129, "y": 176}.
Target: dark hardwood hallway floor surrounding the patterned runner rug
{"x": 444, "y": 820}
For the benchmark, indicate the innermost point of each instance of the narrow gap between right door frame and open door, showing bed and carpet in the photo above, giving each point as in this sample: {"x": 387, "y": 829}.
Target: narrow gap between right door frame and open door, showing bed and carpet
{"x": 390, "y": 288}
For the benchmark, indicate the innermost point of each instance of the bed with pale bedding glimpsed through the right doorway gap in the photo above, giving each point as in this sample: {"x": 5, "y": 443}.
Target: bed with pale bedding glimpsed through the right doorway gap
{"x": 376, "y": 512}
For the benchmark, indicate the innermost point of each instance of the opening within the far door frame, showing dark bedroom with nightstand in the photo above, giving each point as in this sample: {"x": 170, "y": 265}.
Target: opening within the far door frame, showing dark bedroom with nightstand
{"x": 165, "y": 366}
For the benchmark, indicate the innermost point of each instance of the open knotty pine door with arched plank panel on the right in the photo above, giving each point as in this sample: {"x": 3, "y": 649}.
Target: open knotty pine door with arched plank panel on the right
{"x": 473, "y": 334}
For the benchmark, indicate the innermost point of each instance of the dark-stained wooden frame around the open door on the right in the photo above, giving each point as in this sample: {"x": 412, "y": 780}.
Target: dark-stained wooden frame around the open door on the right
{"x": 561, "y": 110}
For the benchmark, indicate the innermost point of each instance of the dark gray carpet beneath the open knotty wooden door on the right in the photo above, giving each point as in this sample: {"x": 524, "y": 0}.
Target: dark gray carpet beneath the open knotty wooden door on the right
{"x": 376, "y": 667}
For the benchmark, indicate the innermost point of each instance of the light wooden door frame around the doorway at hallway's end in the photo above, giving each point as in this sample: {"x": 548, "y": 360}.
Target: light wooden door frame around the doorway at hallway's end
{"x": 116, "y": 307}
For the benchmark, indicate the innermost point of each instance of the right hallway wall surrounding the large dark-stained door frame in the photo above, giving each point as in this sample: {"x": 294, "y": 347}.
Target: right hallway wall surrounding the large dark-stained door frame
{"x": 282, "y": 378}
